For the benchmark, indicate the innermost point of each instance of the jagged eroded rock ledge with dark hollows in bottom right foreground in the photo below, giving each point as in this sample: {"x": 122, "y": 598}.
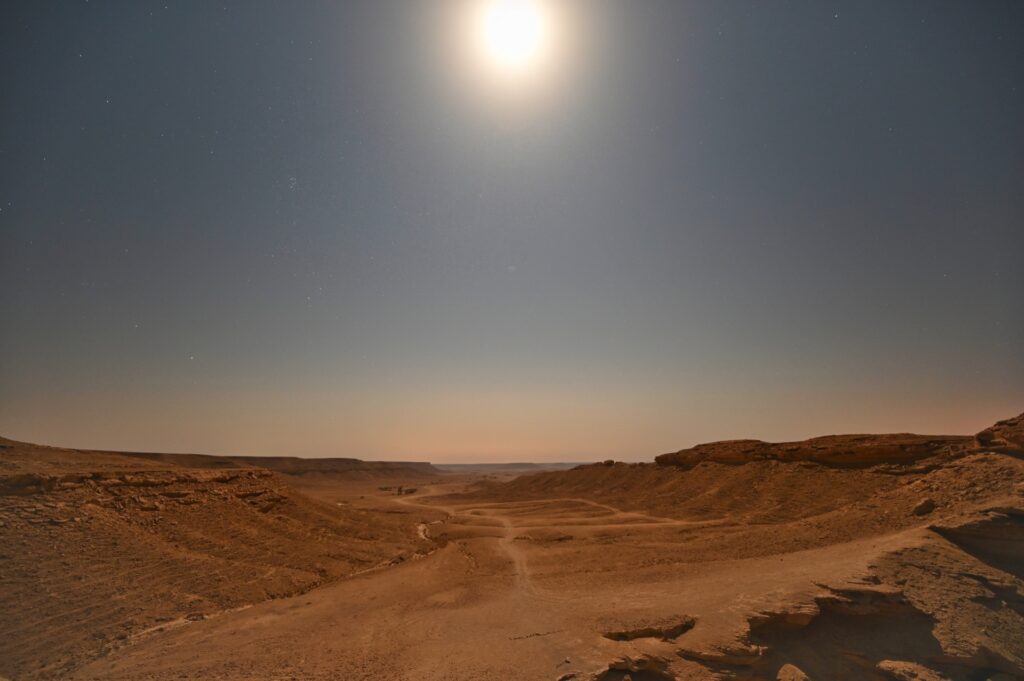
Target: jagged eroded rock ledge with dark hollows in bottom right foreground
{"x": 865, "y": 633}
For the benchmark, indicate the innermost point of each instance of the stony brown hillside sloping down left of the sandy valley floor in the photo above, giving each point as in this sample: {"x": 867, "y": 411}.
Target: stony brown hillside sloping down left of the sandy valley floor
{"x": 98, "y": 549}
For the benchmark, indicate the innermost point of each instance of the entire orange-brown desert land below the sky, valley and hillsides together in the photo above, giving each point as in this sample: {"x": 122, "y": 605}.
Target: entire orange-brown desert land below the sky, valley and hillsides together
{"x": 850, "y": 558}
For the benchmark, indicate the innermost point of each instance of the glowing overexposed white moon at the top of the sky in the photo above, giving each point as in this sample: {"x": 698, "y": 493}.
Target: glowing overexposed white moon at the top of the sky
{"x": 515, "y": 33}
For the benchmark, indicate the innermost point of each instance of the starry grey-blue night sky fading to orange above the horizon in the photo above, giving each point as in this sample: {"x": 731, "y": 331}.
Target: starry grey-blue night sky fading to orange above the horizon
{"x": 330, "y": 229}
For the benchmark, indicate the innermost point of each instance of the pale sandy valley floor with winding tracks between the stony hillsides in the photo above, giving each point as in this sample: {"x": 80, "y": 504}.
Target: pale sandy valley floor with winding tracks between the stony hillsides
{"x": 492, "y": 600}
